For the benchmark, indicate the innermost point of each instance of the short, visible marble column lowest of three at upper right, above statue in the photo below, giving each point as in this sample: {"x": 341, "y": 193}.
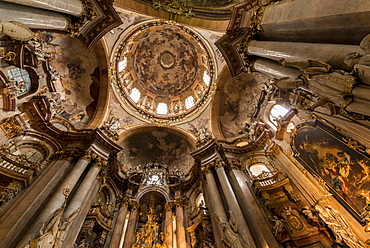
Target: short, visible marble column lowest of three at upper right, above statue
{"x": 275, "y": 69}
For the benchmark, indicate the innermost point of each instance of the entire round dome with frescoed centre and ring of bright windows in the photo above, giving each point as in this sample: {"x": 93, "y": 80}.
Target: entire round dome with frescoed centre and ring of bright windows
{"x": 162, "y": 72}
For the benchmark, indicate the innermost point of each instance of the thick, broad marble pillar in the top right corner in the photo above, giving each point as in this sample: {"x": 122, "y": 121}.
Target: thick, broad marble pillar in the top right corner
{"x": 321, "y": 21}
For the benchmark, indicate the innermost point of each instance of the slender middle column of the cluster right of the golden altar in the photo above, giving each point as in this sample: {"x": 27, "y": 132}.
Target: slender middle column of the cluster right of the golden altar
{"x": 233, "y": 205}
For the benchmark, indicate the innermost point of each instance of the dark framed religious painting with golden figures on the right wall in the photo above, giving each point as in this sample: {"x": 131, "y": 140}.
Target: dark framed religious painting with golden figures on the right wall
{"x": 340, "y": 162}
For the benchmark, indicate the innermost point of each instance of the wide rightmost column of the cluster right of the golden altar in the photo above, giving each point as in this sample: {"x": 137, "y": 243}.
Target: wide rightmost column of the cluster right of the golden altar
{"x": 257, "y": 219}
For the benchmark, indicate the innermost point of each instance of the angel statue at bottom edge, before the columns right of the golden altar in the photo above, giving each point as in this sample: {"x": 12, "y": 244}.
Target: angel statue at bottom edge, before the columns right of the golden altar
{"x": 230, "y": 230}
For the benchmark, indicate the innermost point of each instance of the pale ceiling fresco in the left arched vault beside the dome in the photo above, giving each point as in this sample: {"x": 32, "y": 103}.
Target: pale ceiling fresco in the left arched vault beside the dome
{"x": 76, "y": 78}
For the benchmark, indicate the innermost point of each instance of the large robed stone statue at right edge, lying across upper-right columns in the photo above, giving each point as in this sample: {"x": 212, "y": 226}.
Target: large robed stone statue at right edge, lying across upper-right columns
{"x": 348, "y": 90}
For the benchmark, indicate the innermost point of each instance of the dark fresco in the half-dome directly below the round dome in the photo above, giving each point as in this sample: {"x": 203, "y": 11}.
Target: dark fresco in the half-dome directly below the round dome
{"x": 139, "y": 149}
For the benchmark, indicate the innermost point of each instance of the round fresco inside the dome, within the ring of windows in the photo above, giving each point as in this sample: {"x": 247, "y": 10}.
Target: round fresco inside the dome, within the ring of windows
{"x": 166, "y": 62}
